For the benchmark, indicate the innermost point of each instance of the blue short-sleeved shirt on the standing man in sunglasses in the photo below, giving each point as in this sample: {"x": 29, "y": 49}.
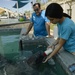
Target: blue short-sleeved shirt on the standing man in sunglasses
{"x": 39, "y": 24}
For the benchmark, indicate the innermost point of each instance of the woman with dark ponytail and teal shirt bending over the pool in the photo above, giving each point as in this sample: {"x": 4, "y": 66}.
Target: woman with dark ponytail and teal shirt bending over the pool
{"x": 66, "y": 30}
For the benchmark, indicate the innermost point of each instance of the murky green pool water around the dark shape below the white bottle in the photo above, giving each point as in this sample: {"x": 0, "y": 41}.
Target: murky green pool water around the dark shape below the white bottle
{"x": 16, "y": 59}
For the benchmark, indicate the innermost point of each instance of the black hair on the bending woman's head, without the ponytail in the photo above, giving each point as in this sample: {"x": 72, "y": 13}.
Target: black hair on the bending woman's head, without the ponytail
{"x": 54, "y": 10}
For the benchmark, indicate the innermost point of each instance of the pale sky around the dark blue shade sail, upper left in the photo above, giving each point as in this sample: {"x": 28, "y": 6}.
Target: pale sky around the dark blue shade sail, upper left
{"x": 9, "y": 5}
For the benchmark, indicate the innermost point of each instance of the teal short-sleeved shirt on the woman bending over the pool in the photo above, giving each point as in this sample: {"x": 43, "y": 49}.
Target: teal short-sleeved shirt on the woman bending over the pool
{"x": 66, "y": 31}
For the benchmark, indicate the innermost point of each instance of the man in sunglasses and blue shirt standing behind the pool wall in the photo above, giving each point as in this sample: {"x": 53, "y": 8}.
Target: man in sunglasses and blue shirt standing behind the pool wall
{"x": 39, "y": 22}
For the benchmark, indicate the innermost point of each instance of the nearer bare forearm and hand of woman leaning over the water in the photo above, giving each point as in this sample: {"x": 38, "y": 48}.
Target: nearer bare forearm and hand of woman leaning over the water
{"x": 57, "y": 48}
